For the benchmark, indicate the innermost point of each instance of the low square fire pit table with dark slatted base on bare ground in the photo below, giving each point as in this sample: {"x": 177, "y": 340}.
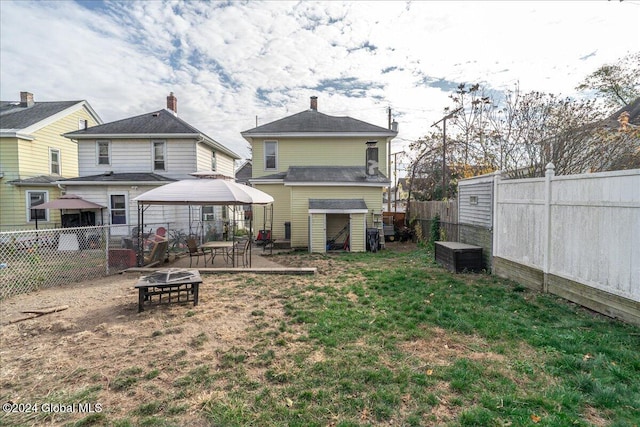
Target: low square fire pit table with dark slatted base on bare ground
{"x": 172, "y": 285}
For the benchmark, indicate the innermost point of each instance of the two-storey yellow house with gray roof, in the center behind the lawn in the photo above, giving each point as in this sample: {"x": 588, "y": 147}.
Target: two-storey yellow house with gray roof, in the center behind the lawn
{"x": 326, "y": 174}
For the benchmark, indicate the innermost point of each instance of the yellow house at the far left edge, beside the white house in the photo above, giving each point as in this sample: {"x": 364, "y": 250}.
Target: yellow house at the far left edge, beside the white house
{"x": 34, "y": 154}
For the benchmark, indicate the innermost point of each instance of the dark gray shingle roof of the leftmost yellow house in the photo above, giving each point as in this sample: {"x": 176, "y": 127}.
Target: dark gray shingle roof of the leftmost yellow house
{"x": 13, "y": 116}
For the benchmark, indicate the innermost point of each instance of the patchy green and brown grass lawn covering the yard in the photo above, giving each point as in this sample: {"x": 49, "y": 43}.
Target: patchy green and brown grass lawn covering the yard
{"x": 378, "y": 339}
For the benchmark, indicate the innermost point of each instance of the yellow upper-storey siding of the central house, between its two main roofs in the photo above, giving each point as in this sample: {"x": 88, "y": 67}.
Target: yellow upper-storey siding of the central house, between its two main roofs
{"x": 317, "y": 152}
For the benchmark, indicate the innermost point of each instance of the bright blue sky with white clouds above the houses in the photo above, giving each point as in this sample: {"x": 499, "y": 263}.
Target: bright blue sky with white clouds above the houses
{"x": 233, "y": 64}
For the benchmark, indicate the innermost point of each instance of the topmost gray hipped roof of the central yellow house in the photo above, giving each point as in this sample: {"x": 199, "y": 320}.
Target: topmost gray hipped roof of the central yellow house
{"x": 312, "y": 121}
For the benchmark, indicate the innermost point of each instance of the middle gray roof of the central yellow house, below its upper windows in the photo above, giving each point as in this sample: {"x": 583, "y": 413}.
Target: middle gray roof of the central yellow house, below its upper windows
{"x": 350, "y": 174}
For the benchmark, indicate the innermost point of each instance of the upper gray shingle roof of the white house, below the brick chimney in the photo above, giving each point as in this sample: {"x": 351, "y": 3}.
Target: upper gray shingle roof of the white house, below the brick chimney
{"x": 157, "y": 122}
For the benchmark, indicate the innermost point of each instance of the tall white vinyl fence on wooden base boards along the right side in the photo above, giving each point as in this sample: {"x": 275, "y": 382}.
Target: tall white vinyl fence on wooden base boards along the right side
{"x": 577, "y": 236}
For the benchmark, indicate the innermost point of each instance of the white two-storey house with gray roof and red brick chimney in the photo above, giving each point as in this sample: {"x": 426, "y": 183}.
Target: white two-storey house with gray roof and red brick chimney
{"x": 123, "y": 159}
